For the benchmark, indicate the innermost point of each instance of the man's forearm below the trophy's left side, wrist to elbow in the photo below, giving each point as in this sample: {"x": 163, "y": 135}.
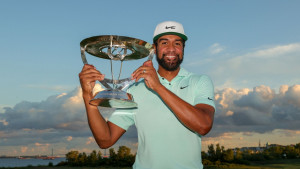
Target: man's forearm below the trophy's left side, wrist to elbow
{"x": 97, "y": 123}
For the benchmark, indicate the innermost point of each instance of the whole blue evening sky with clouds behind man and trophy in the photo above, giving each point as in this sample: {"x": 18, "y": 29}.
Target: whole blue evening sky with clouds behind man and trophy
{"x": 250, "y": 49}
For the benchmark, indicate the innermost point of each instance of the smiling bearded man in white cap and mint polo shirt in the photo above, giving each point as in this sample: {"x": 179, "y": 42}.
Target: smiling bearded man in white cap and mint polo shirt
{"x": 175, "y": 107}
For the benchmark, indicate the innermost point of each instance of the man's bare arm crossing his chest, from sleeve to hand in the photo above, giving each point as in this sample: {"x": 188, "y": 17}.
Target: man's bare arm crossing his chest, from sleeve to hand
{"x": 198, "y": 118}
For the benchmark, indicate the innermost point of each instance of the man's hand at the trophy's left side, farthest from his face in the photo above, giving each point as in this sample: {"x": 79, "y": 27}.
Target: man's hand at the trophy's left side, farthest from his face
{"x": 88, "y": 77}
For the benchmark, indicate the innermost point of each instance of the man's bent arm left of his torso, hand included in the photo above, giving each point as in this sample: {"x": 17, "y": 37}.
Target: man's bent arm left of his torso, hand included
{"x": 105, "y": 133}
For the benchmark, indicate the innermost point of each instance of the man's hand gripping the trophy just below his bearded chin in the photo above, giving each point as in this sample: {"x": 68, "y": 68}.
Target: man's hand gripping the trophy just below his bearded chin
{"x": 148, "y": 72}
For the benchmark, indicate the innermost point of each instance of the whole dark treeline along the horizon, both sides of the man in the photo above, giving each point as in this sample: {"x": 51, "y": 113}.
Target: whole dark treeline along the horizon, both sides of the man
{"x": 216, "y": 155}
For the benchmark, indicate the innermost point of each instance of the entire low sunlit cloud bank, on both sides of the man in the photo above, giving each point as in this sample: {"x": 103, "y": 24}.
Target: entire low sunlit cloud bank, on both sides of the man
{"x": 60, "y": 120}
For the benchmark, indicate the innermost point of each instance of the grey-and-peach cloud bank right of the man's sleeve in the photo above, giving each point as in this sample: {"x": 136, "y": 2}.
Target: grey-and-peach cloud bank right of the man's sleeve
{"x": 259, "y": 110}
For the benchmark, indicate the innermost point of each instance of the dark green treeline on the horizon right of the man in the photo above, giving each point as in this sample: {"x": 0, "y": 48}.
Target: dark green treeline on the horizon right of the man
{"x": 217, "y": 154}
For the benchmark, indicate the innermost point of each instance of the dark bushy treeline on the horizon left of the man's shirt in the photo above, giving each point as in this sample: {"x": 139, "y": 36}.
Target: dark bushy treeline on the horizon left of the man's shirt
{"x": 123, "y": 158}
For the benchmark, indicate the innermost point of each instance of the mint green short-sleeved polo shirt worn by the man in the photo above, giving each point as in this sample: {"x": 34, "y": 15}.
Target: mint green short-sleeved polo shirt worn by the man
{"x": 163, "y": 141}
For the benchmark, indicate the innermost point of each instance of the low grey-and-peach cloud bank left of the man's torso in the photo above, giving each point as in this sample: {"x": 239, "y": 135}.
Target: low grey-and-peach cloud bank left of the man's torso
{"x": 59, "y": 120}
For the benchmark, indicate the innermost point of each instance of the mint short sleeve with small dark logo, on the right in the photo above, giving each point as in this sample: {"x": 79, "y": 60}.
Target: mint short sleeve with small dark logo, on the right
{"x": 204, "y": 93}
